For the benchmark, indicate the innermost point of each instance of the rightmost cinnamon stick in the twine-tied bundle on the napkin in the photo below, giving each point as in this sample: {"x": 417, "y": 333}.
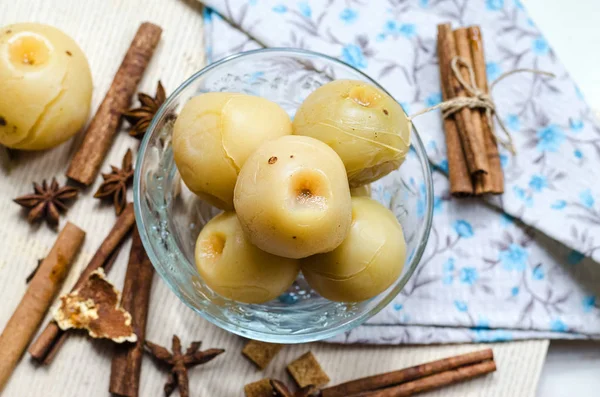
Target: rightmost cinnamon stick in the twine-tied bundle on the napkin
{"x": 493, "y": 182}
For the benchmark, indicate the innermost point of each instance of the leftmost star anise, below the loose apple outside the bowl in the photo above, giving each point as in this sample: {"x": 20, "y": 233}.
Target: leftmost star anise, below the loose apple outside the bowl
{"x": 47, "y": 201}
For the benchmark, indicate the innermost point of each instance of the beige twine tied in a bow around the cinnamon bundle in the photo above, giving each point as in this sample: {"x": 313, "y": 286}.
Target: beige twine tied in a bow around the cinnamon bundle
{"x": 478, "y": 99}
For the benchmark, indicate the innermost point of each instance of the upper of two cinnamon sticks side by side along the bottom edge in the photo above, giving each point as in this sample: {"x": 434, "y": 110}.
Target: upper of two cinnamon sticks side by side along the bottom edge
{"x": 408, "y": 374}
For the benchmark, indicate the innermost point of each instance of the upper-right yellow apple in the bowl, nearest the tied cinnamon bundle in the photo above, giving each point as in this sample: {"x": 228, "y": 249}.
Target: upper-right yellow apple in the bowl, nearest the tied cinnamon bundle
{"x": 365, "y": 126}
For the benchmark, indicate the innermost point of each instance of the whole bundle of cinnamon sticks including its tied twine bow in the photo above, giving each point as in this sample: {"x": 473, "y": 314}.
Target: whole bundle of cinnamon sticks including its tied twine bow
{"x": 468, "y": 112}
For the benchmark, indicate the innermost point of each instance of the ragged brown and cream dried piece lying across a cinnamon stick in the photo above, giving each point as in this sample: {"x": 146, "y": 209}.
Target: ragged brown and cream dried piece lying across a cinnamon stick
{"x": 95, "y": 307}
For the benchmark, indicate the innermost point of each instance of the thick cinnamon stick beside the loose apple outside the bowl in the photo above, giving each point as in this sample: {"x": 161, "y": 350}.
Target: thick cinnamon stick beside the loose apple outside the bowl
{"x": 99, "y": 136}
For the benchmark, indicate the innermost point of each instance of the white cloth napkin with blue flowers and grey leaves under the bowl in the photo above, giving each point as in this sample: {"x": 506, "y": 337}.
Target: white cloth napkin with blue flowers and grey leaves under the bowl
{"x": 516, "y": 267}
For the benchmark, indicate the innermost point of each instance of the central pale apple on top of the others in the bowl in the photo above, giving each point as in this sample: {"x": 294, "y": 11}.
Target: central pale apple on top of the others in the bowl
{"x": 292, "y": 197}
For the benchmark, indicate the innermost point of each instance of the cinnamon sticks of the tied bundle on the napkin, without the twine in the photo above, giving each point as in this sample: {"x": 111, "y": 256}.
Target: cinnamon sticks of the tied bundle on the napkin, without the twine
{"x": 473, "y": 160}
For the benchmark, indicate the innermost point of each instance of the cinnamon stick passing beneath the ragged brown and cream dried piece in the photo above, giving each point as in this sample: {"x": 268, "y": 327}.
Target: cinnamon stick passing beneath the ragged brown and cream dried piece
{"x": 45, "y": 347}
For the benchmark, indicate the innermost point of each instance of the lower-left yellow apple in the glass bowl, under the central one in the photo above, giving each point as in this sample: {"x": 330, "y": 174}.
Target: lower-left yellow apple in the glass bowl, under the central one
{"x": 234, "y": 268}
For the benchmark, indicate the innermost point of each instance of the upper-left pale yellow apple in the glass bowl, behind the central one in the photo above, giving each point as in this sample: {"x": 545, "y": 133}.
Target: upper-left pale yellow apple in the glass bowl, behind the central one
{"x": 215, "y": 133}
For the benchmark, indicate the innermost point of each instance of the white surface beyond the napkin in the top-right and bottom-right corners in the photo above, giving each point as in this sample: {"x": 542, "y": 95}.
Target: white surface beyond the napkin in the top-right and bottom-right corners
{"x": 571, "y": 368}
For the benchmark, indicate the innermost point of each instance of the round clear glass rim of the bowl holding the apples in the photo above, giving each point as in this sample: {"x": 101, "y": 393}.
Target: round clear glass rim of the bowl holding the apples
{"x": 235, "y": 328}
